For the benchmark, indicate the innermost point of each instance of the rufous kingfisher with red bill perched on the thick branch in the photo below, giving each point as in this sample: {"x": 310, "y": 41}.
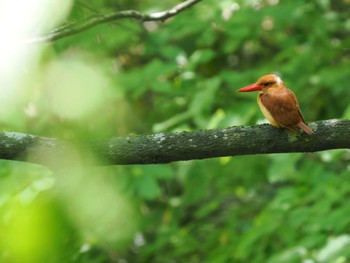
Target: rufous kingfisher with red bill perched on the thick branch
{"x": 278, "y": 103}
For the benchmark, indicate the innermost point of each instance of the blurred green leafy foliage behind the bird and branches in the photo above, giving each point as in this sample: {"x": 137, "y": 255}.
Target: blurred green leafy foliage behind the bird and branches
{"x": 182, "y": 75}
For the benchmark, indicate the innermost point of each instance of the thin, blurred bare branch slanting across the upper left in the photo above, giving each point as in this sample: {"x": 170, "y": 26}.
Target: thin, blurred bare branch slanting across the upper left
{"x": 98, "y": 19}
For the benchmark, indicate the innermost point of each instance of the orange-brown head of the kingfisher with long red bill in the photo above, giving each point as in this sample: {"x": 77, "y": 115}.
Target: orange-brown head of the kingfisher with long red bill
{"x": 266, "y": 82}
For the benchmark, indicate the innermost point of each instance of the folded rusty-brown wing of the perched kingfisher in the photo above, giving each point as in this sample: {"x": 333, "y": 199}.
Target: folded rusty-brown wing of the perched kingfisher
{"x": 283, "y": 107}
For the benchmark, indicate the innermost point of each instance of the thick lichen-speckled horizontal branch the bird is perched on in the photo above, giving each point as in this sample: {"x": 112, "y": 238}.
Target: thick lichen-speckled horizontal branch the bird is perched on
{"x": 171, "y": 147}
